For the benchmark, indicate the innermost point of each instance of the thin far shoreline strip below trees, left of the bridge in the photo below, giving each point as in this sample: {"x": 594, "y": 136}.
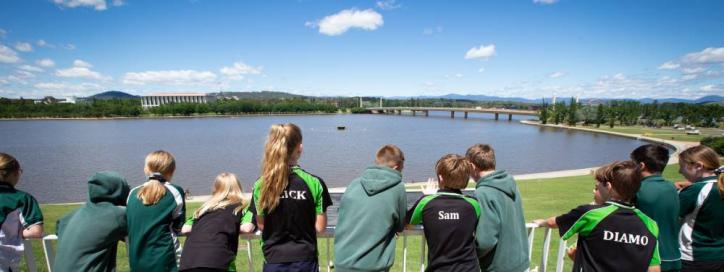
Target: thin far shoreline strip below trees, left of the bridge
{"x": 169, "y": 116}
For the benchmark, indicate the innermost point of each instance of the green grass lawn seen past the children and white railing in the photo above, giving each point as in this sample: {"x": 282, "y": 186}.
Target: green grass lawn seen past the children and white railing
{"x": 541, "y": 198}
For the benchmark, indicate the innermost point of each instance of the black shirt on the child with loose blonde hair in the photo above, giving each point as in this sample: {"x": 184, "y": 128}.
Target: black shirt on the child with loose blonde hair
{"x": 214, "y": 239}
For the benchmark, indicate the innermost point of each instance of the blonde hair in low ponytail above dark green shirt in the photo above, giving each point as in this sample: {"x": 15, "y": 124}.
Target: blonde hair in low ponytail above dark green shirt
{"x": 159, "y": 168}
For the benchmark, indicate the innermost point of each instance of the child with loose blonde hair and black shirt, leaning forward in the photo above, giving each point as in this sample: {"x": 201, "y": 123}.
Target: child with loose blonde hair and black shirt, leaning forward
{"x": 213, "y": 232}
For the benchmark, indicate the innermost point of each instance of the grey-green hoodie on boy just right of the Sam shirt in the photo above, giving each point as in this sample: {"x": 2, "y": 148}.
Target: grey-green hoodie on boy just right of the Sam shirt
{"x": 501, "y": 235}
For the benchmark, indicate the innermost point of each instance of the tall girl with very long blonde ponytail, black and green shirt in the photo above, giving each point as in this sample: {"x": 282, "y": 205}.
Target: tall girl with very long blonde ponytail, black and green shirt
{"x": 290, "y": 204}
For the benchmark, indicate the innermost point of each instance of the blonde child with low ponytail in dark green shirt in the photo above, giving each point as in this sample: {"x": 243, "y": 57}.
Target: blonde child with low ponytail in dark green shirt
{"x": 155, "y": 213}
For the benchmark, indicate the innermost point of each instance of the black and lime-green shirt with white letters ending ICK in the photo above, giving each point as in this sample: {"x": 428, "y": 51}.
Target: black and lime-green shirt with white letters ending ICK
{"x": 289, "y": 234}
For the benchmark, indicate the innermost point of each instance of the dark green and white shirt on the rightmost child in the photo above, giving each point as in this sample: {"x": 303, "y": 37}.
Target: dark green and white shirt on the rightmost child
{"x": 702, "y": 234}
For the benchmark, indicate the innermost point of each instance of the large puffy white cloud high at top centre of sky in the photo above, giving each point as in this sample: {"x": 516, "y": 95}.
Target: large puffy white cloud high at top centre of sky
{"x": 342, "y": 21}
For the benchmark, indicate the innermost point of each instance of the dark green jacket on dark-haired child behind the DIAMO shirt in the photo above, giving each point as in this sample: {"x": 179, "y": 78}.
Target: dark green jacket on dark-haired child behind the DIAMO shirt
{"x": 658, "y": 199}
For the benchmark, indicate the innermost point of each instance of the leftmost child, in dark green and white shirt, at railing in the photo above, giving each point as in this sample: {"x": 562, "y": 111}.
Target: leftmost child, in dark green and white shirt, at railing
{"x": 20, "y": 215}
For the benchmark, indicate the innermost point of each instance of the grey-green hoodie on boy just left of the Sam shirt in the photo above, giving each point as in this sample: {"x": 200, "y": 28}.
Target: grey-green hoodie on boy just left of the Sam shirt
{"x": 372, "y": 210}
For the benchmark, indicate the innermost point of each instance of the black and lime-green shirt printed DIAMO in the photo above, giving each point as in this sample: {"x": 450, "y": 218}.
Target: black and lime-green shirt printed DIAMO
{"x": 611, "y": 237}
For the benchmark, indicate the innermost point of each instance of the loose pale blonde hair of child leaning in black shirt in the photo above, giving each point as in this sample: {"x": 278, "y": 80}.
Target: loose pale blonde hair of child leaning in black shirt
{"x": 227, "y": 191}
